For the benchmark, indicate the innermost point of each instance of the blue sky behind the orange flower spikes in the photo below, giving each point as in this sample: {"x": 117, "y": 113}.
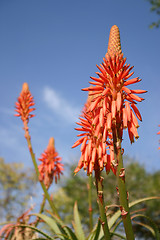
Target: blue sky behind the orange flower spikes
{"x": 55, "y": 46}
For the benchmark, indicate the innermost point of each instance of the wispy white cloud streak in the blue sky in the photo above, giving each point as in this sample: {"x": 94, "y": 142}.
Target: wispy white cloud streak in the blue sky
{"x": 60, "y": 105}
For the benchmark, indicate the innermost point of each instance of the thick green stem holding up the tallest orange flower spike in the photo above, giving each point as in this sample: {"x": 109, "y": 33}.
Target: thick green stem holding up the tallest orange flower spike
{"x": 123, "y": 194}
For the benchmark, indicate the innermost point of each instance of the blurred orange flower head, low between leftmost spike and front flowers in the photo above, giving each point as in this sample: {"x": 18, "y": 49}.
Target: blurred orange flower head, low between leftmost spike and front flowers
{"x": 51, "y": 166}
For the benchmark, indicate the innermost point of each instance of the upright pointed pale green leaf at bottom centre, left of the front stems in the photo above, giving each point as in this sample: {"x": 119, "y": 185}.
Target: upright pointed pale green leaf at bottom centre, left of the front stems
{"x": 77, "y": 224}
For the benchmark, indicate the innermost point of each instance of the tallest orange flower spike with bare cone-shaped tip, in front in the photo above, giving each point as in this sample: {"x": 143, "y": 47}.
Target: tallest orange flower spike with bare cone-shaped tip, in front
{"x": 111, "y": 92}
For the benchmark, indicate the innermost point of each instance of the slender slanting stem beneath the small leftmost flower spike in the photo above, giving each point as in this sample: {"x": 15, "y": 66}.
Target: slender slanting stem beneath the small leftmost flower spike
{"x": 28, "y": 138}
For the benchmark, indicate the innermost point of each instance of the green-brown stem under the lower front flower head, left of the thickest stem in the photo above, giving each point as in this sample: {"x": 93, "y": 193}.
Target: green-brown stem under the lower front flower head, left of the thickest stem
{"x": 100, "y": 200}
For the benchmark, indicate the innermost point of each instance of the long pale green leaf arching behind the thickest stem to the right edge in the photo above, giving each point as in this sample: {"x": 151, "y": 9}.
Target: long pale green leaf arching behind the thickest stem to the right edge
{"x": 115, "y": 217}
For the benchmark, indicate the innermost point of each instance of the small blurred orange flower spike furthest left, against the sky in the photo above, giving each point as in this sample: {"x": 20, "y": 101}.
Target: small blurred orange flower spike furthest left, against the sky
{"x": 25, "y": 103}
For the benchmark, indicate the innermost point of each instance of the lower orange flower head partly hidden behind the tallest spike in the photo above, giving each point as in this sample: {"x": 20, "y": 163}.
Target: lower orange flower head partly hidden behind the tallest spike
{"x": 94, "y": 155}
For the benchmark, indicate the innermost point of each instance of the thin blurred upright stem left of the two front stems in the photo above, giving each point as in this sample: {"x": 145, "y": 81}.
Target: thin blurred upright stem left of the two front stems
{"x": 90, "y": 202}
